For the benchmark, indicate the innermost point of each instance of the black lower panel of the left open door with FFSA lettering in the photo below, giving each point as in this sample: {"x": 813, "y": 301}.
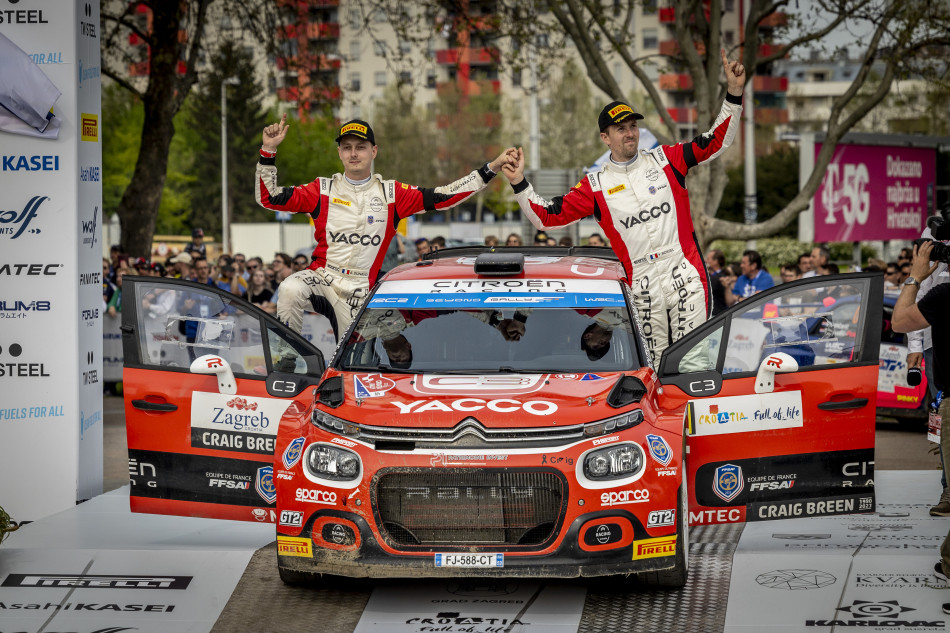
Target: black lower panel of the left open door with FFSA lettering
{"x": 201, "y": 478}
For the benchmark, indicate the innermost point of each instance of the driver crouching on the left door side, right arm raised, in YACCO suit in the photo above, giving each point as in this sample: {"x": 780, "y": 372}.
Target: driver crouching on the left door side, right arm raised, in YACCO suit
{"x": 355, "y": 215}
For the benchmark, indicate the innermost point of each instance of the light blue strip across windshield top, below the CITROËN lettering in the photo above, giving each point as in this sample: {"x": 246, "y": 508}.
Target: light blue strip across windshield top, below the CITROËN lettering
{"x": 497, "y": 300}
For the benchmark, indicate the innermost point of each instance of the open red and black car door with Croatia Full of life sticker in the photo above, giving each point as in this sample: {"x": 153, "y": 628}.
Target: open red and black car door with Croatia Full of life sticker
{"x": 780, "y": 396}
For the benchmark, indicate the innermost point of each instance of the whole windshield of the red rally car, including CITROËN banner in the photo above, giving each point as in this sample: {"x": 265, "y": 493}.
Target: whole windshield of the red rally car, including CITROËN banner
{"x": 484, "y": 325}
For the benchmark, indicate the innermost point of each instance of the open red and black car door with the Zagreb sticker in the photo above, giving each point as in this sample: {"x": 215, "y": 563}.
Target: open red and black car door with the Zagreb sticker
{"x": 204, "y": 398}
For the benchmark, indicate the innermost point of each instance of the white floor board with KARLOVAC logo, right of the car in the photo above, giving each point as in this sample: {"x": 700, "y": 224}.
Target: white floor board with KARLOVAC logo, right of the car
{"x": 851, "y": 572}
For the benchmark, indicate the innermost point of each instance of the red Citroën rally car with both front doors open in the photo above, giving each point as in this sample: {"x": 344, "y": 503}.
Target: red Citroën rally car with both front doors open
{"x": 496, "y": 413}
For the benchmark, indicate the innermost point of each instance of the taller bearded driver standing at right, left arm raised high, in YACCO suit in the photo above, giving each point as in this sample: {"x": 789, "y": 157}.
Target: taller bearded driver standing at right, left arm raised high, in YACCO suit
{"x": 639, "y": 198}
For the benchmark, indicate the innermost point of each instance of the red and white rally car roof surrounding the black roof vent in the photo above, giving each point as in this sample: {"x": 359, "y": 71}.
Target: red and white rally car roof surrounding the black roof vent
{"x": 550, "y": 262}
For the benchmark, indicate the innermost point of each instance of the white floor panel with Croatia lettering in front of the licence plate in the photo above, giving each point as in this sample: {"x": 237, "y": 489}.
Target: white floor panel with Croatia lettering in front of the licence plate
{"x": 468, "y": 605}
